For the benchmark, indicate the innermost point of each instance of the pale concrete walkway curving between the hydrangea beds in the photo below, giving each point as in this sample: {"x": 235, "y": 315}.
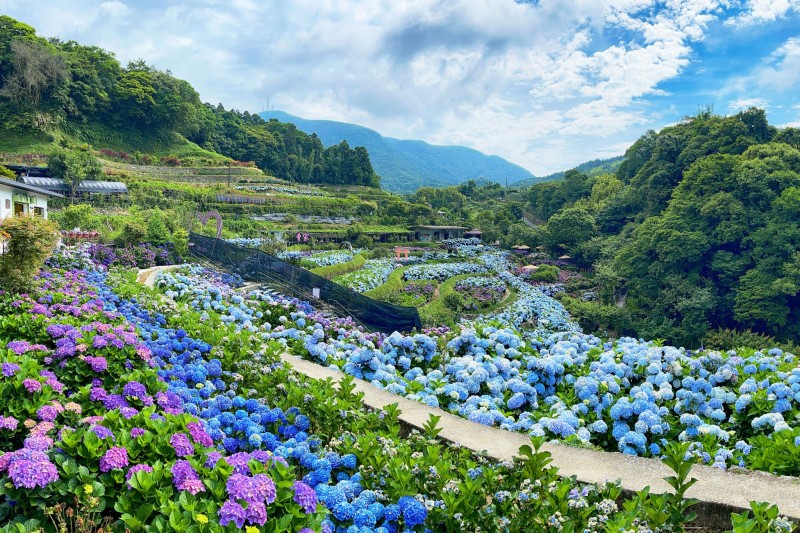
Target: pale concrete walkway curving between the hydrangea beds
{"x": 719, "y": 491}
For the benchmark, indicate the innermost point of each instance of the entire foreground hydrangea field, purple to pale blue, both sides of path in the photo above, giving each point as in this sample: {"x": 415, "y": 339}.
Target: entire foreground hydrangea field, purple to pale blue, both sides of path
{"x": 127, "y": 411}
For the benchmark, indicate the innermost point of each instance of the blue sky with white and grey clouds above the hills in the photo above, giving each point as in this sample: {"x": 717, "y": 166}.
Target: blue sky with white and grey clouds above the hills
{"x": 546, "y": 84}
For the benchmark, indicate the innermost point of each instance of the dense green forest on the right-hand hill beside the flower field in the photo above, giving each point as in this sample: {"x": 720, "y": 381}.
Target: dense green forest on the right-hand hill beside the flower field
{"x": 697, "y": 230}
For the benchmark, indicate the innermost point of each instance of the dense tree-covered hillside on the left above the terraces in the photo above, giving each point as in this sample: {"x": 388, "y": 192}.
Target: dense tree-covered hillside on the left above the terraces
{"x": 47, "y": 85}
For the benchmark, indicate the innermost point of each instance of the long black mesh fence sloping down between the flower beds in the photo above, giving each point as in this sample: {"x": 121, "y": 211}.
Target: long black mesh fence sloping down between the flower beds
{"x": 291, "y": 280}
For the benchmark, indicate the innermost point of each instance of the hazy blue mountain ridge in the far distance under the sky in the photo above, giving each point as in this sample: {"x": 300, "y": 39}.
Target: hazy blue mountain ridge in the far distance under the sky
{"x": 406, "y": 165}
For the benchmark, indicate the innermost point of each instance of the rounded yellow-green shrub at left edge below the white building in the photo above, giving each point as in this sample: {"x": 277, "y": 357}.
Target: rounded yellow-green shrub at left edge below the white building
{"x": 31, "y": 241}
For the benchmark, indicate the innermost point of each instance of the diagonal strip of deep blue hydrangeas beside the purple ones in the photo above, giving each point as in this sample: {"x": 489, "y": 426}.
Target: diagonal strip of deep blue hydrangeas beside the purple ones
{"x": 198, "y": 385}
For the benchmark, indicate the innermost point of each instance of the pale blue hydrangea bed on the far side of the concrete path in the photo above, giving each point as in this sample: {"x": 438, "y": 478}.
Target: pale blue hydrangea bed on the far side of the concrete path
{"x": 542, "y": 376}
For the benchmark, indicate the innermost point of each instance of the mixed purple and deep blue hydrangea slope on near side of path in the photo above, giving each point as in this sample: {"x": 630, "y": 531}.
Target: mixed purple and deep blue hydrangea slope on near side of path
{"x": 121, "y": 412}
